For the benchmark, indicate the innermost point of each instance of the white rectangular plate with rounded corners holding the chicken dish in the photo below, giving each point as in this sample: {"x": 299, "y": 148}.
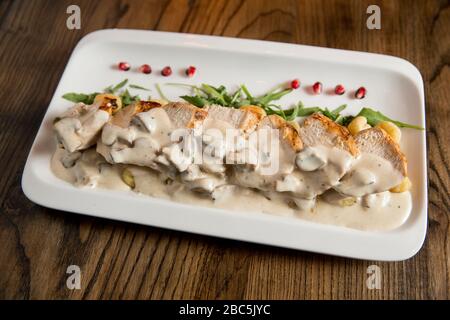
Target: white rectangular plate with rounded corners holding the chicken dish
{"x": 395, "y": 87}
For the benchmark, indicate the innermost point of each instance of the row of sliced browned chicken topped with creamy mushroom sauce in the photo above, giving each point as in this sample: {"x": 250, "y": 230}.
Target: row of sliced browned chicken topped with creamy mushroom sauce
{"x": 317, "y": 156}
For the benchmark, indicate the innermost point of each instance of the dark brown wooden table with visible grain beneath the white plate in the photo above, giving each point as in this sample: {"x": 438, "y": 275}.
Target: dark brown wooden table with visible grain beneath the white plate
{"x": 126, "y": 261}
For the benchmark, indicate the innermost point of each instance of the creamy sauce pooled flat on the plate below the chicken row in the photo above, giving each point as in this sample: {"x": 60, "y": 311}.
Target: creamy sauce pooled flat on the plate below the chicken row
{"x": 93, "y": 172}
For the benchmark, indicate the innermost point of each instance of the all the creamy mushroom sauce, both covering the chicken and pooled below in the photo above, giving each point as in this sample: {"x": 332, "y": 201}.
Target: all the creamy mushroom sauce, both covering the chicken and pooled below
{"x": 167, "y": 168}
